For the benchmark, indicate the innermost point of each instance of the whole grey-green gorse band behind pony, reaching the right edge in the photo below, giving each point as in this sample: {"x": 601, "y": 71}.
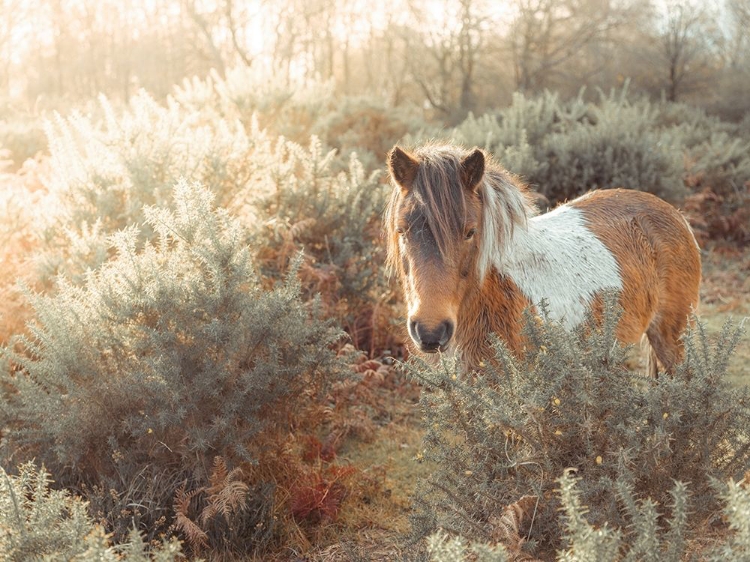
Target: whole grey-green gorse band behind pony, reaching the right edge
{"x": 565, "y": 148}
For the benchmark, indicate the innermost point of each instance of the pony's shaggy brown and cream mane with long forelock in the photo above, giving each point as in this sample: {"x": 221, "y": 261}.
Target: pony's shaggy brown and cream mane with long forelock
{"x": 436, "y": 188}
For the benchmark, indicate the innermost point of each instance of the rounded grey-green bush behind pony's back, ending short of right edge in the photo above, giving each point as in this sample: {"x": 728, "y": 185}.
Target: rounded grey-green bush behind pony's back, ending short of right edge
{"x": 564, "y": 149}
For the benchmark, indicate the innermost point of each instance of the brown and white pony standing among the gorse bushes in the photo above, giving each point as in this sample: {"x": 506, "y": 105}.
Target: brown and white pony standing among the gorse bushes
{"x": 472, "y": 253}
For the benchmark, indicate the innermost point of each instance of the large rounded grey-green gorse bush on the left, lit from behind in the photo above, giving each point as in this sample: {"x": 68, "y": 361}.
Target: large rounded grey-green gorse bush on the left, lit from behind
{"x": 168, "y": 355}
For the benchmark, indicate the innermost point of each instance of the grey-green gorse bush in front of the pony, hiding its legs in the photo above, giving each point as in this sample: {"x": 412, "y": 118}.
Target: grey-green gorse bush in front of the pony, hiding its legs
{"x": 512, "y": 429}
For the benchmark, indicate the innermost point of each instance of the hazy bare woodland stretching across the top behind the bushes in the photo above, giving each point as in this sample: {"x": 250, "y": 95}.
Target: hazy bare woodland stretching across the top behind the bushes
{"x": 447, "y": 56}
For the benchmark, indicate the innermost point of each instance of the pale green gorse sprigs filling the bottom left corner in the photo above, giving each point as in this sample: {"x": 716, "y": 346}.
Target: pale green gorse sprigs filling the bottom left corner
{"x": 39, "y": 523}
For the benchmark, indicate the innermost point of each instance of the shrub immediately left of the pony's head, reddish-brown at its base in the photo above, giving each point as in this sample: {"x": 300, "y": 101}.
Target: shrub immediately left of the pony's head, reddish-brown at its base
{"x": 334, "y": 217}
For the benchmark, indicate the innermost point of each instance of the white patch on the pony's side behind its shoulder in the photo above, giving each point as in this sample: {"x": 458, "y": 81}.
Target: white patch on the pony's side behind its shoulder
{"x": 559, "y": 259}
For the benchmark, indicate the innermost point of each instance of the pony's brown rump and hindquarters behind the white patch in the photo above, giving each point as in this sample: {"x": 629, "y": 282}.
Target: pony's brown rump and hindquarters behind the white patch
{"x": 658, "y": 257}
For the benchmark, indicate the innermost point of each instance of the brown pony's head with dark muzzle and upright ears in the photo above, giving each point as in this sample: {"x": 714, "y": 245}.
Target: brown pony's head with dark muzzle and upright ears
{"x": 435, "y": 224}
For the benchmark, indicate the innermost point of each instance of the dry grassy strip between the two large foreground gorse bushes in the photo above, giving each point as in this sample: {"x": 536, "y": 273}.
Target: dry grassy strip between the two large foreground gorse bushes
{"x": 374, "y": 518}
